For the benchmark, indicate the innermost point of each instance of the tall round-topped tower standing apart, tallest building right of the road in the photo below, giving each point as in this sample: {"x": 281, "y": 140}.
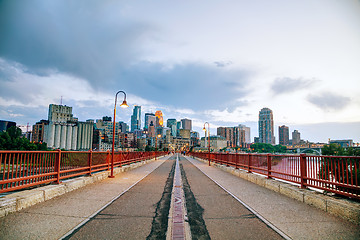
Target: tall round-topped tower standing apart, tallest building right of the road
{"x": 266, "y": 126}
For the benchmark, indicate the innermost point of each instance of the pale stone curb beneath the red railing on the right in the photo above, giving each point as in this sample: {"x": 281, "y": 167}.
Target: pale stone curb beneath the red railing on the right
{"x": 344, "y": 208}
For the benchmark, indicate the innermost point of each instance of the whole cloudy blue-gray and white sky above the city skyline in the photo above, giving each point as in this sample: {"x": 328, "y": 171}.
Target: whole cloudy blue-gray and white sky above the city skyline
{"x": 214, "y": 61}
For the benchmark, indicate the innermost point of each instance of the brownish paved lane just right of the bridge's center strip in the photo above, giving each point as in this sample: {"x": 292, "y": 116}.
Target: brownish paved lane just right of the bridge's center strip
{"x": 223, "y": 216}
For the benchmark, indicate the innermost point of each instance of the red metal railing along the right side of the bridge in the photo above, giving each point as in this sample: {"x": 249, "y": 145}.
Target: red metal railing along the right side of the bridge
{"x": 337, "y": 174}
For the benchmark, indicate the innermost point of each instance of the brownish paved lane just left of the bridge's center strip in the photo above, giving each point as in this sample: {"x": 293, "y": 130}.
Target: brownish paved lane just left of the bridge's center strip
{"x": 132, "y": 215}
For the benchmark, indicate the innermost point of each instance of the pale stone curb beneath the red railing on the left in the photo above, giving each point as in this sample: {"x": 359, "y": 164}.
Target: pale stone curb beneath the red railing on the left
{"x": 19, "y": 200}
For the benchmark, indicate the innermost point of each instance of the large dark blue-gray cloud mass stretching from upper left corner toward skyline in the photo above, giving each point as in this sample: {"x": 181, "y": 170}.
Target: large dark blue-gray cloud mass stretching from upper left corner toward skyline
{"x": 97, "y": 43}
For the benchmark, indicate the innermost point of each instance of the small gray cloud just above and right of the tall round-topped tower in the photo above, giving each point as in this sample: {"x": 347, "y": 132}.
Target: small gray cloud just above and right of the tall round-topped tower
{"x": 288, "y": 85}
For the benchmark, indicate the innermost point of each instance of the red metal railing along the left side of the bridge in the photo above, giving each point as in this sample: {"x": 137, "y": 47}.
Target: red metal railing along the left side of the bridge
{"x": 23, "y": 169}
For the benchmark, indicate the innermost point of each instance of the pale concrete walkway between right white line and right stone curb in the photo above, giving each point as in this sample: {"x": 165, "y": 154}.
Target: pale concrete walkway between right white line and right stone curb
{"x": 297, "y": 220}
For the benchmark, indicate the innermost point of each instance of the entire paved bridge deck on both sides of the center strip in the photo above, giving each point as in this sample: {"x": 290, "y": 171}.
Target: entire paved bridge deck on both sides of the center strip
{"x": 56, "y": 217}
